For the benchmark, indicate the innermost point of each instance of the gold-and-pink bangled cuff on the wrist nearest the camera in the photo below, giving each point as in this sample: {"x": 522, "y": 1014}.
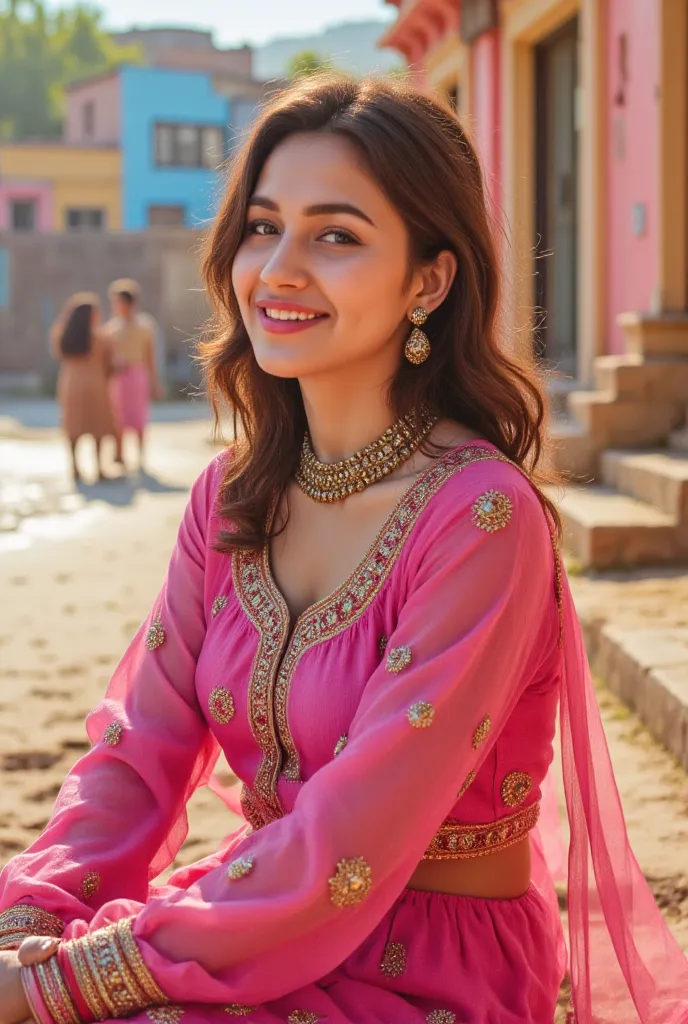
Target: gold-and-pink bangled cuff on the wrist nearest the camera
{"x": 99, "y": 977}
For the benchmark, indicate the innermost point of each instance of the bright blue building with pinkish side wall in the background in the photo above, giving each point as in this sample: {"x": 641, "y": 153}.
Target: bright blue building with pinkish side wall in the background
{"x": 175, "y": 129}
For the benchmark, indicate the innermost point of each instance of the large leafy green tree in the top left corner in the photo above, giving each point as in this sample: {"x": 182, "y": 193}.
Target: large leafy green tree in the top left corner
{"x": 40, "y": 55}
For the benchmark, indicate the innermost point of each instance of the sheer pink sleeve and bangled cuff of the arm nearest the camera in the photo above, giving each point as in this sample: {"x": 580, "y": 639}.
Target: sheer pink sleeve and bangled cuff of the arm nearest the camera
{"x": 480, "y": 614}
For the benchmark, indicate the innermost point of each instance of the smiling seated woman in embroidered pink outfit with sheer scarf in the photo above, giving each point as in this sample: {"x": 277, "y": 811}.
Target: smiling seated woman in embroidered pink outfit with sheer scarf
{"x": 366, "y": 611}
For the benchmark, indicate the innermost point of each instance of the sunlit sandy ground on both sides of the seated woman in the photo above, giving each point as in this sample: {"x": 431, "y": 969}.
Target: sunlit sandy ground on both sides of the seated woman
{"x": 75, "y": 585}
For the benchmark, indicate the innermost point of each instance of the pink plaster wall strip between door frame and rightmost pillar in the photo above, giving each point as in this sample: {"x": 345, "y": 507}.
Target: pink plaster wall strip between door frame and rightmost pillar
{"x": 632, "y": 165}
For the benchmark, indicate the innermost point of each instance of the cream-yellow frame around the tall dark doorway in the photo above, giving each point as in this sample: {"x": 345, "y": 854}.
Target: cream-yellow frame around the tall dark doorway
{"x": 526, "y": 24}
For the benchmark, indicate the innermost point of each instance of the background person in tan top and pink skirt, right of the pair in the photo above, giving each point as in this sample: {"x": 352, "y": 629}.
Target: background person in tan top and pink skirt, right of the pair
{"x": 132, "y": 336}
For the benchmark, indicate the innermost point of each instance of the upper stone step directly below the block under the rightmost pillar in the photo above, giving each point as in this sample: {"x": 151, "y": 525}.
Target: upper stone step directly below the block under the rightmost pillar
{"x": 640, "y": 378}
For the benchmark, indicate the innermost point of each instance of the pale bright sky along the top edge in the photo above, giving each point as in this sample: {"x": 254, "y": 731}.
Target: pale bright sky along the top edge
{"x": 236, "y": 22}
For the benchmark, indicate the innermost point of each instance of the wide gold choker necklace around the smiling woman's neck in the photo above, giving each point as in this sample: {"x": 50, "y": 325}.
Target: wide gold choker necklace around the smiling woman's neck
{"x": 334, "y": 482}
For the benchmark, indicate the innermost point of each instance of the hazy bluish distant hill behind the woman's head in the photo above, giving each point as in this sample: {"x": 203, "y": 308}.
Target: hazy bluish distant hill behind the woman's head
{"x": 352, "y": 47}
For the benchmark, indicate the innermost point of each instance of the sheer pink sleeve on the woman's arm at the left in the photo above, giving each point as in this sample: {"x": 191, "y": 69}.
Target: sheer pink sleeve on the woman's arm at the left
{"x": 120, "y": 818}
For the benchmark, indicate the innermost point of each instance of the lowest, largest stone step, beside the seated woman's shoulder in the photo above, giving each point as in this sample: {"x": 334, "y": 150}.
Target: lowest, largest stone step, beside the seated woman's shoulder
{"x": 606, "y": 530}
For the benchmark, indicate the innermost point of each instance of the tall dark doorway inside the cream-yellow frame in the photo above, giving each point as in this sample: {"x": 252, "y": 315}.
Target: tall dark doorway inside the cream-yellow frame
{"x": 557, "y": 198}
